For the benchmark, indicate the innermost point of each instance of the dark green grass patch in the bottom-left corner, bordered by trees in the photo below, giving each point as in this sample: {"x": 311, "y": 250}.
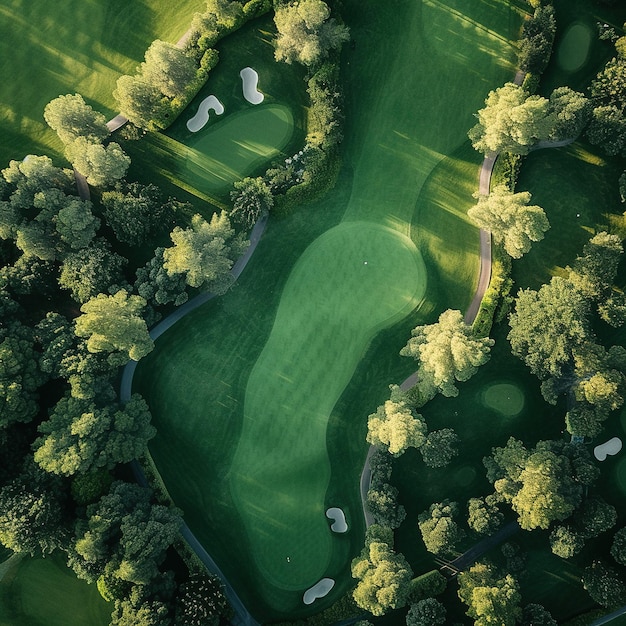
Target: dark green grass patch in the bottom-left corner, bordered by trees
{"x": 45, "y": 592}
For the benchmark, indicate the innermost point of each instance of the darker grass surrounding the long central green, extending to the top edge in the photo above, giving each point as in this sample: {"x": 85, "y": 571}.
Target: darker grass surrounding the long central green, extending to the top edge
{"x": 383, "y": 122}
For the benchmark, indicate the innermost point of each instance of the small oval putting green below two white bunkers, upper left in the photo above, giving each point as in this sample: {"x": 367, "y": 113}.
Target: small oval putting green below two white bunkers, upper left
{"x": 231, "y": 148}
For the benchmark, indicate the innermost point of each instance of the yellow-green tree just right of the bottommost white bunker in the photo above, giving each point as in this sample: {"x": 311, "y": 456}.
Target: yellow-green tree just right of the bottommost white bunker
{"x": 383, "y": 576}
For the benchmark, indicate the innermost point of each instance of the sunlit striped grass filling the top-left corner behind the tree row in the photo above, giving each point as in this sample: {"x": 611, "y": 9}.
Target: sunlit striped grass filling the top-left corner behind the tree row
{"x": 48, "y": 49}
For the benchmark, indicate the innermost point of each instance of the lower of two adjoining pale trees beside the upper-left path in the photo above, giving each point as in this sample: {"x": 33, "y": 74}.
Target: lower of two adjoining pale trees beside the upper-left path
{"x": 101, "y": 165}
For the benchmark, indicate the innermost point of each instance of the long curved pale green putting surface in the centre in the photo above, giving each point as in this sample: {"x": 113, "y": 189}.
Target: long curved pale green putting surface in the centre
{"x": 350, "y": 283}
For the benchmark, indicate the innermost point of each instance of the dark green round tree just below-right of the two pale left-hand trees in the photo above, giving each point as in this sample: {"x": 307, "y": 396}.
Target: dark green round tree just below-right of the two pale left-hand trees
{"x": 135, "y": 212}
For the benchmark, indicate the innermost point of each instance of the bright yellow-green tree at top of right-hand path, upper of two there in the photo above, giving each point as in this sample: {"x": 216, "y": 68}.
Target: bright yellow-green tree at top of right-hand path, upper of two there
{"x": 512, "y": 121}
